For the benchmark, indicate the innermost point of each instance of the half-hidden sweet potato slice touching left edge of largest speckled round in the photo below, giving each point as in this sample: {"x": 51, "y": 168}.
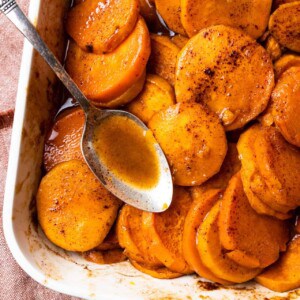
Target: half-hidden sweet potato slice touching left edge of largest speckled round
{"x": 163, "y": 57}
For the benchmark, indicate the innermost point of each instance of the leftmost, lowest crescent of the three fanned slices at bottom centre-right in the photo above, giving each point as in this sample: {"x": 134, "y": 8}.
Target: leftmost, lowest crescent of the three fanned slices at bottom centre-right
{"x": 202, "y": 203}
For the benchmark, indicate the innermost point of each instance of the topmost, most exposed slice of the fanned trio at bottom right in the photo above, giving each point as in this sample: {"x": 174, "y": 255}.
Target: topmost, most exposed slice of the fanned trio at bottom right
{"x": 258, "y": 238}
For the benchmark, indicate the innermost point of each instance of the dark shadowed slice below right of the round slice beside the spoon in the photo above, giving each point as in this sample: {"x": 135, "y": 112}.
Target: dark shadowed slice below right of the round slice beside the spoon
{"x": 230, "y": 166}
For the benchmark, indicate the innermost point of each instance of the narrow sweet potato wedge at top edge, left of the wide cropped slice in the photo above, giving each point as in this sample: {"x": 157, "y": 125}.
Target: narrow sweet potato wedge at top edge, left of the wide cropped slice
{"x": 170, "y": 12}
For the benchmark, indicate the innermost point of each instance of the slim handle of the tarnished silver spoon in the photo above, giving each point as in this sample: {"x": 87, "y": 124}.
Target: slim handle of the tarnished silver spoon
{"x": 13, "y": 12}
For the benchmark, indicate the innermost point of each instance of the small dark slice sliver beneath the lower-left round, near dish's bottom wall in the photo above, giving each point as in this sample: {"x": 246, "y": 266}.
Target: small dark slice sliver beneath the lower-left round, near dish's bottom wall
{"x": 104, "y": 257}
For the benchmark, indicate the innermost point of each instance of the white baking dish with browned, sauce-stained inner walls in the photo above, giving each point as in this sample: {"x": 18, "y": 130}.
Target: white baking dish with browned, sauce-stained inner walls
{"x": 59, "y": 270}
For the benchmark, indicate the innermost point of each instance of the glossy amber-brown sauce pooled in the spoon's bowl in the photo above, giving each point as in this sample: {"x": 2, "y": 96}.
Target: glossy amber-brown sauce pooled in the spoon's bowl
{"x": 127, "y": 151}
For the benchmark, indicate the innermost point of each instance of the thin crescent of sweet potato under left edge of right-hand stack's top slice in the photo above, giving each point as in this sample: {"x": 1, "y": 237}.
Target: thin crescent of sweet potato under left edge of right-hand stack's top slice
{"x": 251, "y": 176}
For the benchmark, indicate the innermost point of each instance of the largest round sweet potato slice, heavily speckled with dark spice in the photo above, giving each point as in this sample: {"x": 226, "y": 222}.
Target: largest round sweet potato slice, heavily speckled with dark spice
{"x": 210, "y": 68}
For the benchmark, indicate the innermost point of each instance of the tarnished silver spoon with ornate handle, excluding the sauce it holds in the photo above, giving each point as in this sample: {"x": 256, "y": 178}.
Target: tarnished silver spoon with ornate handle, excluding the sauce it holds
{"x": 156, "y": 199}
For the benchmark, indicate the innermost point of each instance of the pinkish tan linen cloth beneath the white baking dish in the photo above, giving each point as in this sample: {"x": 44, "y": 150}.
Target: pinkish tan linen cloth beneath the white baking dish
{"x": 14, "y": 283}
